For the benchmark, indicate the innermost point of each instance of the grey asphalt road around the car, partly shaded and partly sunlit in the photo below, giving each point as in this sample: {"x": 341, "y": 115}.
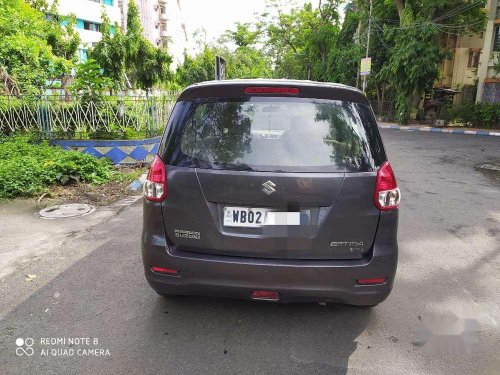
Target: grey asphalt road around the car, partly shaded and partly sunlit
{"x": 449, "y": 261}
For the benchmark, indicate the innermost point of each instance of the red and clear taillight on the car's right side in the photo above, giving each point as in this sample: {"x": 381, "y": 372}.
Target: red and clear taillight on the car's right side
{"x": 387, "y": 195}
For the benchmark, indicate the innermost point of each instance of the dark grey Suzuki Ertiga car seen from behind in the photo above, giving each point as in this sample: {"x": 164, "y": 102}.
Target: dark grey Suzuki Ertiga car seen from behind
{"x": 273, "y": 190}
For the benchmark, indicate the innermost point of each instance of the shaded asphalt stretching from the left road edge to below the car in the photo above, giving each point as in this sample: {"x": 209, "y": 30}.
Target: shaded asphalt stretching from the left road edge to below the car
{"x": 105, "y": 296}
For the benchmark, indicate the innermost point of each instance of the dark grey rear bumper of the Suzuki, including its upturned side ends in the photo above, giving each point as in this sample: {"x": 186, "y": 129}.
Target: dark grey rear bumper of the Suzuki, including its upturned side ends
{"x": 295, "y": 280}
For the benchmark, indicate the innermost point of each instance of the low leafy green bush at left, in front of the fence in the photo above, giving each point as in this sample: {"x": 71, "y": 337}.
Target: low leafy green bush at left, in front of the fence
{"x": 27, "y": 168}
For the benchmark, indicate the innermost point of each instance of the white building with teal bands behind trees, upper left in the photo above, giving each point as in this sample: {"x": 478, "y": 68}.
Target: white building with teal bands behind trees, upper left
{"x": 88, "y": 19}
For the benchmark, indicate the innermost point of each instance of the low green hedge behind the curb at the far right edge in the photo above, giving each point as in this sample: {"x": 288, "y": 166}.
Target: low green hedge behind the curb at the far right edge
{"x": 481, "y": 115}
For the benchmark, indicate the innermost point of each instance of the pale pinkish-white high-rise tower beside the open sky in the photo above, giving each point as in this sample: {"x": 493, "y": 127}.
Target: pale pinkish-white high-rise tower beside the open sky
{"x": 153, "y": 15}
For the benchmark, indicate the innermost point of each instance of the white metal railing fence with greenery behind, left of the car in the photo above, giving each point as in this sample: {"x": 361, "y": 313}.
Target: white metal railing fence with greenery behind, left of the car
{"x": 56, "y": 116}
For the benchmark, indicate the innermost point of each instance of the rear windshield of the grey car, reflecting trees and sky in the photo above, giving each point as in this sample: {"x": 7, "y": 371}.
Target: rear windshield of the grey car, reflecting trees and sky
{"x": 276, "y": 134}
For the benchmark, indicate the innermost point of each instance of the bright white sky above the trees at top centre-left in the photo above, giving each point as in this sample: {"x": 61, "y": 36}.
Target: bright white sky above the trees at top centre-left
{"x": 215, "y": 16}
